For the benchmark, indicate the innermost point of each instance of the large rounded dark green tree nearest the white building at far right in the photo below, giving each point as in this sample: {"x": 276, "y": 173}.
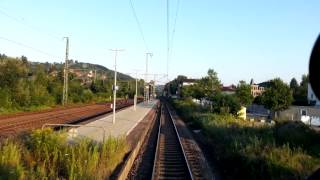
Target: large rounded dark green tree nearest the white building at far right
{"x": 278, "y": 96}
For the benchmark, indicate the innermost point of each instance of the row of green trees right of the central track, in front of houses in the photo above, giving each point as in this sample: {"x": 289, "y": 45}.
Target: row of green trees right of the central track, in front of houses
{"x": 278, "y": 95}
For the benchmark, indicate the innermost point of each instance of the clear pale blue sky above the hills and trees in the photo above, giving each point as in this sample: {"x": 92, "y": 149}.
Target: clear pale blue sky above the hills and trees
{"x": 239, "y": 39}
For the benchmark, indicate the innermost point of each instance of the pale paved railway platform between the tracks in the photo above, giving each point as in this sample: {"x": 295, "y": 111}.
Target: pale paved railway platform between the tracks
{"x": 126, "y": 120}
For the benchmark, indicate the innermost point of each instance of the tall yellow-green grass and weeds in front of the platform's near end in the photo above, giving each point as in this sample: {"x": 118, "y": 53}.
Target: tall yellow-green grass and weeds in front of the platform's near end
{"x": 45, "y": 154}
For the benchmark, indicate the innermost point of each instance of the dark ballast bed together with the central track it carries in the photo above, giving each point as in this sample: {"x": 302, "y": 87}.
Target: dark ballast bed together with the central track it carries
{"x": 175, "y": 155}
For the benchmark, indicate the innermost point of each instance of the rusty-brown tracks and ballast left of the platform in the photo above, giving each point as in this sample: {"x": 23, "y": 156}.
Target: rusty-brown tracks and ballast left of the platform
{"x": 13, "y": 125}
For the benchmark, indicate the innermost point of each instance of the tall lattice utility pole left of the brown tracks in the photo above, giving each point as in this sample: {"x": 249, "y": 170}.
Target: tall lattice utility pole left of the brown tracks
{"x": 65, "y": 80}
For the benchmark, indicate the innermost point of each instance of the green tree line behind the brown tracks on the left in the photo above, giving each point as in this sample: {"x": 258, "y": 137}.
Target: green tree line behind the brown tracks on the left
{"x": 26, "y": 86}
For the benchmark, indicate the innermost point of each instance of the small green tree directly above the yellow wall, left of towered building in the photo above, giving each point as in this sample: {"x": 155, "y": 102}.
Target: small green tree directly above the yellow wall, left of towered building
{"x": 243, "y": 93}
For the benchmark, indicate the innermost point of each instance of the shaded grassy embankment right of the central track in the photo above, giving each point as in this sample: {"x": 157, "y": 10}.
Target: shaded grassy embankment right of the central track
{"x": 245, "y": 150}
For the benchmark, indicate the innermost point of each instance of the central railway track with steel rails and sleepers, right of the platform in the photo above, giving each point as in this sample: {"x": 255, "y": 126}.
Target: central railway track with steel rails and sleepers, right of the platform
{"x": 170, "y": 160}
